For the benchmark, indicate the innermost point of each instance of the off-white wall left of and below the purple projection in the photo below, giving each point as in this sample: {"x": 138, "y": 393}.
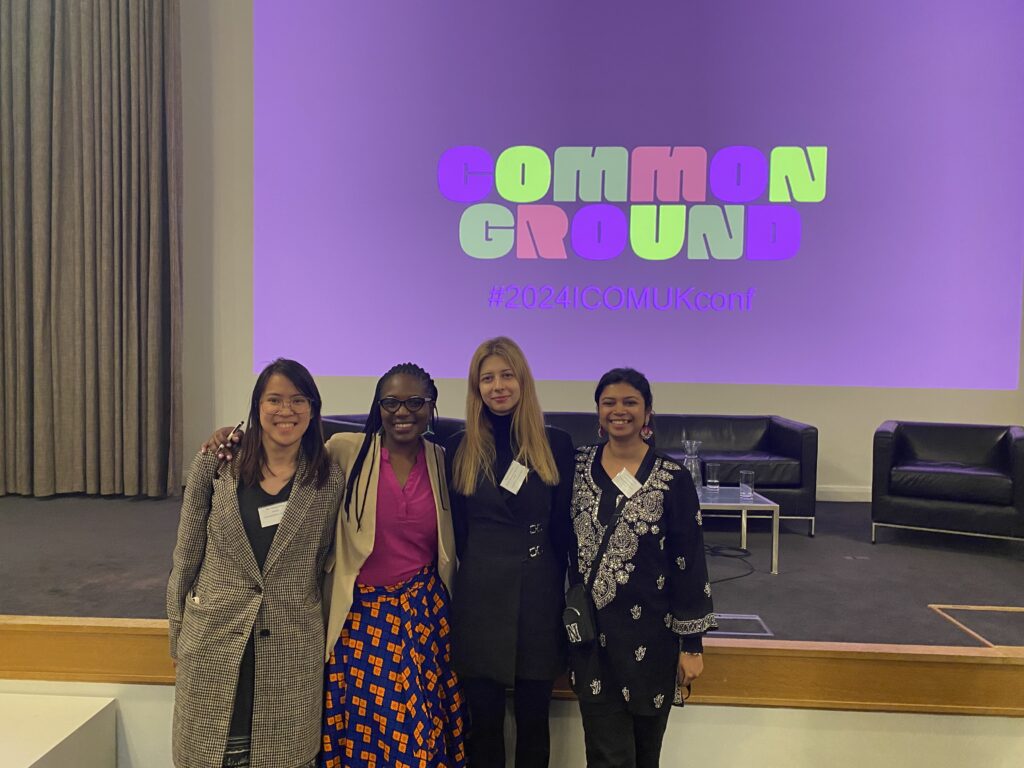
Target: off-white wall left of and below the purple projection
{"x": 219, "y": 180}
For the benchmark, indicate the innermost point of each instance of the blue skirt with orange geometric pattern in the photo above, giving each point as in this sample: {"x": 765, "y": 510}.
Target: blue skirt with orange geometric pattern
{"x": 392, "y": 698}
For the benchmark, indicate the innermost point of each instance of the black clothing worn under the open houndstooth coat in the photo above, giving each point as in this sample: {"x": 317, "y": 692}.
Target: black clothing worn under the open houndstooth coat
{"x": 250, "y": 500}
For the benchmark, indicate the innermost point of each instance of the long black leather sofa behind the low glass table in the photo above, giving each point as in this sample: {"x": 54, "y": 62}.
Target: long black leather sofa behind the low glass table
{"x": 784, "y": 454}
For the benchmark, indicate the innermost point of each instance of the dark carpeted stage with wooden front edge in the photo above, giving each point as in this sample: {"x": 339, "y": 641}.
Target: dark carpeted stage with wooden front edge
{"x": 917, "y": 623}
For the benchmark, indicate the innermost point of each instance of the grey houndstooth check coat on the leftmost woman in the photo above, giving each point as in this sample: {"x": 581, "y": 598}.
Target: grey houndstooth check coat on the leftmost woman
{"x": 217, "y": 598}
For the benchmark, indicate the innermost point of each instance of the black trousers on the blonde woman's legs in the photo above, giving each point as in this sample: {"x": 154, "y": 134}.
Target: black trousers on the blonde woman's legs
{"x": 486, "y": 737}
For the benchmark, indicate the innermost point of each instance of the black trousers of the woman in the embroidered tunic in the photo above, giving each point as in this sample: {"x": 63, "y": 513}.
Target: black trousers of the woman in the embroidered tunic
{"x": 616, "y": 739}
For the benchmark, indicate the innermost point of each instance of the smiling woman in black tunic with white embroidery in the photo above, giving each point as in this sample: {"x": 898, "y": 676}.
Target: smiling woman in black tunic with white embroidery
{"x": 652, "y": 591}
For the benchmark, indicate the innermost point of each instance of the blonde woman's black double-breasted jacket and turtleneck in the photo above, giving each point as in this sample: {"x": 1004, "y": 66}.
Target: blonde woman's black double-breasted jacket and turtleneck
{"x": 514, "y": 551}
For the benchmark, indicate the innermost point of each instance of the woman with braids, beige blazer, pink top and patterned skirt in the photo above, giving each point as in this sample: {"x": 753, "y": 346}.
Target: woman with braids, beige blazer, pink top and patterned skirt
{"x": 391, "y": 696}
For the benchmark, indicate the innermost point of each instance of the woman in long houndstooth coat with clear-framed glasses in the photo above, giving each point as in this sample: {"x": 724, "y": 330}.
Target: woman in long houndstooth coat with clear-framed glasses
{"x": 244, "y": 595}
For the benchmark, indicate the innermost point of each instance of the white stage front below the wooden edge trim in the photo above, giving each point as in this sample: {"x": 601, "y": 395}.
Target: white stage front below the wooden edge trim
{"x": 698, "y": 736}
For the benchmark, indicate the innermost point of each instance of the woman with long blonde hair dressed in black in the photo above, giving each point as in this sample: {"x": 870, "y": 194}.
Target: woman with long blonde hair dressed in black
{"x": 511, "y": 485}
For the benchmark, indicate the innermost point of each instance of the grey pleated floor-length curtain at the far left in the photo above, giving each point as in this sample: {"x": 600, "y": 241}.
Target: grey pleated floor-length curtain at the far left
{"x": 91, "y": 240}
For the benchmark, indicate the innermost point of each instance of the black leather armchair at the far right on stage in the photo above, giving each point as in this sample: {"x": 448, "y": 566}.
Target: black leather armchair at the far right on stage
{"x": 952, "y": 479}
